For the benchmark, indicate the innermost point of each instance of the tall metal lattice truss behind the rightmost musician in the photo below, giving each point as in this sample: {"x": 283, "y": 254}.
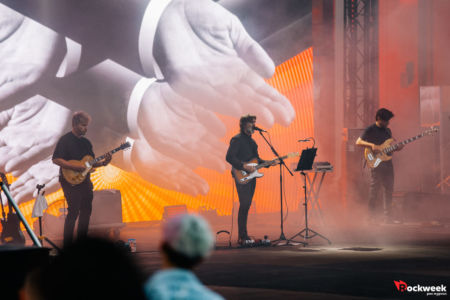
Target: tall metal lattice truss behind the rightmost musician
{"x": 360, "y": 62}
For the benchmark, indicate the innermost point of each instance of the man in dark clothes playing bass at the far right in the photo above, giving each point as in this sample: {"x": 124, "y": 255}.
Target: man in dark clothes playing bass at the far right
{"x": 383, "y": 175}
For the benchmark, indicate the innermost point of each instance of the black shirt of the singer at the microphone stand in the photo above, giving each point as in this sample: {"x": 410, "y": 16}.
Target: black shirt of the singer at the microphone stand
{"x": 242, "y": 149}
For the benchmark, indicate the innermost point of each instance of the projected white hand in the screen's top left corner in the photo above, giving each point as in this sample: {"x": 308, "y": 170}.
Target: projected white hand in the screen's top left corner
{"x": 29, "y": 54}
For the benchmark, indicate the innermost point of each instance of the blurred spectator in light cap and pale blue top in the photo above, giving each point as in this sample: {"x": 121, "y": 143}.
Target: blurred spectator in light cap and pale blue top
{"x": 186, "y": 241}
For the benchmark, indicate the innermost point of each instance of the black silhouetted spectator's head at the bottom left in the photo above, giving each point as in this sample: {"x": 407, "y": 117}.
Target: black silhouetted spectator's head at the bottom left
{"x": 90, "y": 268}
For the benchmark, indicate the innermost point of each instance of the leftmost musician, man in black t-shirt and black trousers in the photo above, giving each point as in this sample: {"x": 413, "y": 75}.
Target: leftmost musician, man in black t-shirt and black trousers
{"x": 74, "y": 146}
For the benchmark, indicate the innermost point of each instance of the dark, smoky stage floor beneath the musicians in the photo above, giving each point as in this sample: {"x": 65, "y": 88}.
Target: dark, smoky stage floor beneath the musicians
{"x": 361, "y": 263}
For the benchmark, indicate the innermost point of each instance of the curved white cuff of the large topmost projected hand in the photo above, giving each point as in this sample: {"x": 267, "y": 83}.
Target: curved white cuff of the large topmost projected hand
{"x": 147, "y": 32}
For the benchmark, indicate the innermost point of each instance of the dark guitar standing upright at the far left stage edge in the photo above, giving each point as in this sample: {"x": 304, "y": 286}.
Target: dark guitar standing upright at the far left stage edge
{"x": 11, "y": 232}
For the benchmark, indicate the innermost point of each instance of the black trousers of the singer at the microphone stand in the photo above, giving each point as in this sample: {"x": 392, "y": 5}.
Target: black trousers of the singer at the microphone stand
{"x": 245, "y": 194}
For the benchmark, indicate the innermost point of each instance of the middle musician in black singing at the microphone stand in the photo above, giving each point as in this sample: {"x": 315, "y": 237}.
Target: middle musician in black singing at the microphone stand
{"x": 243, "y": 149}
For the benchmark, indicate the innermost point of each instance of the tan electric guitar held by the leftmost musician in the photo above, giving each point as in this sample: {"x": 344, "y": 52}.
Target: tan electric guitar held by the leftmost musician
{"x": 75, "y": 177}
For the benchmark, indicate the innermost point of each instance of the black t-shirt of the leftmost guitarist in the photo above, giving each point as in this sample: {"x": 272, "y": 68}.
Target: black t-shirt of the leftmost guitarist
{"x": 71, "y": 147}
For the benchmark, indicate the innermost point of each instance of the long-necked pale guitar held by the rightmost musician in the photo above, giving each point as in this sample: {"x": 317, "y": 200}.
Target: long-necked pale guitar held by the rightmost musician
{"x": 374, "y": 159}
